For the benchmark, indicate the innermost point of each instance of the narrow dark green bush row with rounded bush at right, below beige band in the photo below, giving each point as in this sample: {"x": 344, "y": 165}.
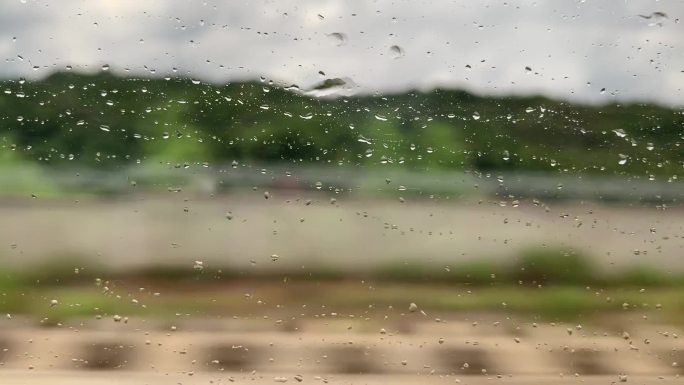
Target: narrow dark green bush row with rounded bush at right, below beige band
{"x": 537, "y": 267}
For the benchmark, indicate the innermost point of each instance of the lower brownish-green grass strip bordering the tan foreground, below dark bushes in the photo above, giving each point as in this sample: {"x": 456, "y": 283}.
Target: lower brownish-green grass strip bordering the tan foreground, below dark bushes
{"x": 126, "y": 299}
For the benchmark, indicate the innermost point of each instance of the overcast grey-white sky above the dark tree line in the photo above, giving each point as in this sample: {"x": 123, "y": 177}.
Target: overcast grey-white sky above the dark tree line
{"x": 573, "y": 48}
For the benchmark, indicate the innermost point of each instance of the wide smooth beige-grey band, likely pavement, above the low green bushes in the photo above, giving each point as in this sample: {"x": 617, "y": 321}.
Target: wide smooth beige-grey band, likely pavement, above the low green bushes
{"x": 347, "y": 235}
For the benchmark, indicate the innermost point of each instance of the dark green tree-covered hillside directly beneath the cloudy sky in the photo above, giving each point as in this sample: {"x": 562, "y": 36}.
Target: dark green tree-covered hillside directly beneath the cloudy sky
{"x": 106, "y": 121}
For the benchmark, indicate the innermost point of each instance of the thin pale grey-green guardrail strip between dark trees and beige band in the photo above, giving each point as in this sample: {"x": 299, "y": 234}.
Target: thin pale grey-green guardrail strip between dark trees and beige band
{"x": 205, "y": 179}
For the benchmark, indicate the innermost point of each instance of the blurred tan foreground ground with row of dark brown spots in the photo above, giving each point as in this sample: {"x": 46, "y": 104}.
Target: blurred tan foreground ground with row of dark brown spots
{"x": 404, "y": 348}
